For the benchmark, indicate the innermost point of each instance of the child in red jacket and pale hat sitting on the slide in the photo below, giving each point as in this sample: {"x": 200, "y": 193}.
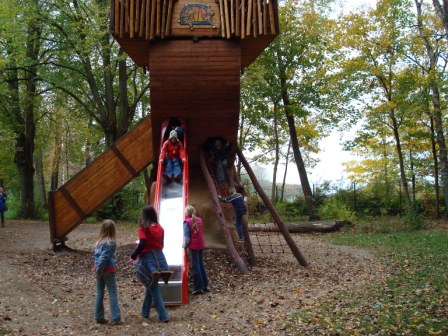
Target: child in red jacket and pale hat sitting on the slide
{"x": 172, "y": 151}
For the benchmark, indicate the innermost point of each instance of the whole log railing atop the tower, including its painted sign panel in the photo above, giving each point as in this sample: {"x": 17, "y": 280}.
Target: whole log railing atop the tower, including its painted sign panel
{"x": 150, "y": 19}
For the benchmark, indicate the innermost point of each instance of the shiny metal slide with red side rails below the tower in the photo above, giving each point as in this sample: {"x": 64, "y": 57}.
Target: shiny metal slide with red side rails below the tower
{"x": 170, "y": 201}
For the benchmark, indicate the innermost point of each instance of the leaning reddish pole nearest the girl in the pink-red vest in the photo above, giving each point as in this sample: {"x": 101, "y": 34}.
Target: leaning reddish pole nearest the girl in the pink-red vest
{"x": 221, "y": 219}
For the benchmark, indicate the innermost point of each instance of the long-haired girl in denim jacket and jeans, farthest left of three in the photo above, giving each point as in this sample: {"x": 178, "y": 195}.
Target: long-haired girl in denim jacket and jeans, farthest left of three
{"x": 104, "y": 266}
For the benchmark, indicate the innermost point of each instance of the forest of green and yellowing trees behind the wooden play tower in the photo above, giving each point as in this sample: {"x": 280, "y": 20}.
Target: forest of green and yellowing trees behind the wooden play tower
{"x": 68, "y": 92}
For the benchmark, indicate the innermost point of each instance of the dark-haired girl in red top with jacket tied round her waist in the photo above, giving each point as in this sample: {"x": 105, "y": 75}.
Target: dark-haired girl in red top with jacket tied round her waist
{"x": 151, "y": 262}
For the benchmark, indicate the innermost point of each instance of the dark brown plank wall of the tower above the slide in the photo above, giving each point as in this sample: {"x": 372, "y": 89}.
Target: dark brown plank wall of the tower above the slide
{"x": 199, "y": 82}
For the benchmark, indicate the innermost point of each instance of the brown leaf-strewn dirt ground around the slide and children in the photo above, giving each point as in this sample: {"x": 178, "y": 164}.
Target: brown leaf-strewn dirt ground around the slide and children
{"x": 47, "y": 293}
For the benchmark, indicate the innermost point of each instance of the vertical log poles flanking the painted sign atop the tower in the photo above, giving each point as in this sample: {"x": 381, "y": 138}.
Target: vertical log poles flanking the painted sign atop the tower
{"x": 152, "y": 19}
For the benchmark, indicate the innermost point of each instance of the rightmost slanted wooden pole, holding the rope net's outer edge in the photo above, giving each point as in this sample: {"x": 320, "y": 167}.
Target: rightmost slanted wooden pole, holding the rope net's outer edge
{"x": 282, "y": 227}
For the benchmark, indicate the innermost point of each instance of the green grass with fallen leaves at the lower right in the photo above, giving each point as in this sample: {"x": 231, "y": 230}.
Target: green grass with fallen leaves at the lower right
{"x": 413, "y": 301}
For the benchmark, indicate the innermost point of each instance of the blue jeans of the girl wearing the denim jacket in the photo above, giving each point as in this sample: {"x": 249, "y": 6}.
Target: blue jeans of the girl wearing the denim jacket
{"x": 107, "y": 280}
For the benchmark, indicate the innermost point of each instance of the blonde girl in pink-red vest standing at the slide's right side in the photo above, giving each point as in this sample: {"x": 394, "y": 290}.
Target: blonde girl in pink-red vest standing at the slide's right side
{"x": 194, "y": 240}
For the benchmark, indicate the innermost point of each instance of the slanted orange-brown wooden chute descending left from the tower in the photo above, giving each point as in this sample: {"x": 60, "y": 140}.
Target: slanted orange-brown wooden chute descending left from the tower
{"x": 96, "y": 183}
